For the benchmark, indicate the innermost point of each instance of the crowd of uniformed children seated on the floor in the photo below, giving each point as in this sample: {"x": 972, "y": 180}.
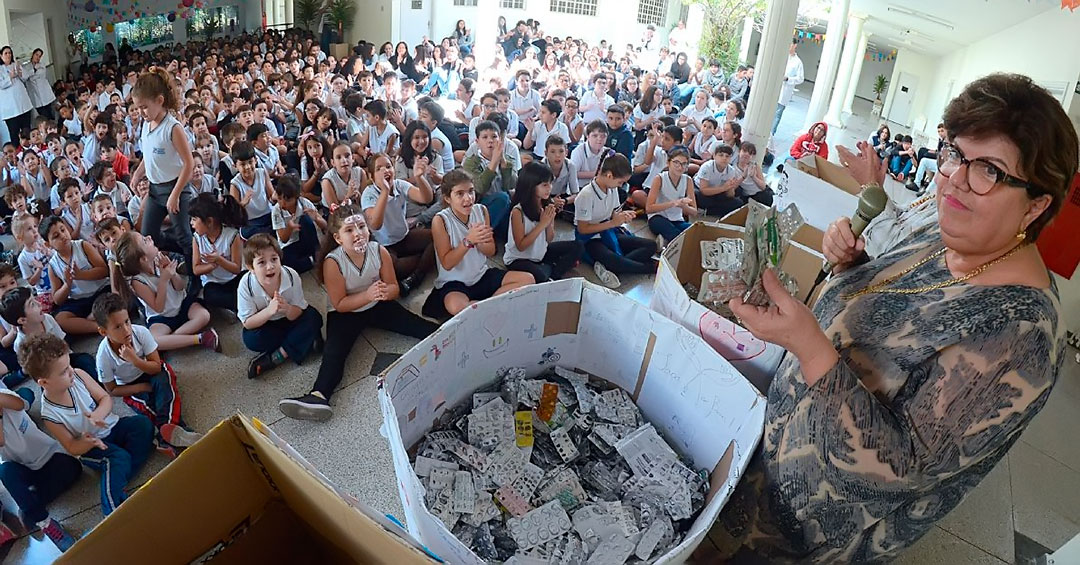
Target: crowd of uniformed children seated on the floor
{"x": 212, "y": 177}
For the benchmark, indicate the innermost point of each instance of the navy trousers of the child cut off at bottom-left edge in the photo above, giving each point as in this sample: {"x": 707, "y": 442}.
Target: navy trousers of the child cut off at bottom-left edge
{"x": 34, "y": 490}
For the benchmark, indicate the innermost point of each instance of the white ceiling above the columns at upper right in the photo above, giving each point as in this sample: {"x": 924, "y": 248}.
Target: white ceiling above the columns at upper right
{"x": 940, "y": 26}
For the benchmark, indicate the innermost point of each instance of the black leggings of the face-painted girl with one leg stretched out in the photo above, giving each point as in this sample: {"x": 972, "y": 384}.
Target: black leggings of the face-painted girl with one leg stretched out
{"x": 343, "y": 329}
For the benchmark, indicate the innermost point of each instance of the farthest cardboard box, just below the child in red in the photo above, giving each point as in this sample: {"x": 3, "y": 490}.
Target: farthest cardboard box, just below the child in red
{"x": 822, "y": 191}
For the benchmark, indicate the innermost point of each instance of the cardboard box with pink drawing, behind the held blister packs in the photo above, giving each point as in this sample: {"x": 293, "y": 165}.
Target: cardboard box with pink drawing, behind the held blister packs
{"x": 681, "y": 263}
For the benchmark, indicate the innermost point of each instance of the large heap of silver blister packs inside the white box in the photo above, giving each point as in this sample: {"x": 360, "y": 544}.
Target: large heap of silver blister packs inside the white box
{"x": 558, "y": 469}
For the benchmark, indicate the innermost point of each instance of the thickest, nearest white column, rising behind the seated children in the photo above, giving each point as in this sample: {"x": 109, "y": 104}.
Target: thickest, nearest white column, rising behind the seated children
{"x": 769, "y": 74}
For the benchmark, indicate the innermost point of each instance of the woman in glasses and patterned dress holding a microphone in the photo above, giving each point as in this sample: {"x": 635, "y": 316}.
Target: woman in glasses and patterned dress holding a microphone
{"x": 919, "y": 370}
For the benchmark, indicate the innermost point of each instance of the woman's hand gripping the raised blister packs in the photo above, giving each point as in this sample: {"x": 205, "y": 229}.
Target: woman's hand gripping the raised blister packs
{"x": 790, "y": 325}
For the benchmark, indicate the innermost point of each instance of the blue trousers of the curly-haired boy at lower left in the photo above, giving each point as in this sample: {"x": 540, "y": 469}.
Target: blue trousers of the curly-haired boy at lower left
{"x": 127, "y": 449}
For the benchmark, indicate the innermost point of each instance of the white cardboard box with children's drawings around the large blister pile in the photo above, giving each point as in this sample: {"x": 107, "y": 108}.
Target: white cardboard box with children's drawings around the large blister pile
{"x": 695, "y": 399}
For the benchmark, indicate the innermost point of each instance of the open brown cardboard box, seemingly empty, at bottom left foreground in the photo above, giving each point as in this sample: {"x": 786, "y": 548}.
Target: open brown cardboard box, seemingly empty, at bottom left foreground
{"x": 244, "y": 495}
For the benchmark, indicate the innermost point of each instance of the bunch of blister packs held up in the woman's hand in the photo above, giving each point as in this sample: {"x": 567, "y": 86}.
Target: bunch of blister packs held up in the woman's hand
{"x": 734, "y": 267}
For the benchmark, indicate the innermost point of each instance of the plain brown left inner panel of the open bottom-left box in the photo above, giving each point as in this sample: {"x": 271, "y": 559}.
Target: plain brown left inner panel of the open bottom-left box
{"x": 201, "y": 496}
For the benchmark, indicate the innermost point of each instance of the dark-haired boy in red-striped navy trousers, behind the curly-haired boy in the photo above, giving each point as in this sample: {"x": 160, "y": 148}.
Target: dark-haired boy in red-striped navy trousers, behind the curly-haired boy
{"x": 130, "y": 367}
